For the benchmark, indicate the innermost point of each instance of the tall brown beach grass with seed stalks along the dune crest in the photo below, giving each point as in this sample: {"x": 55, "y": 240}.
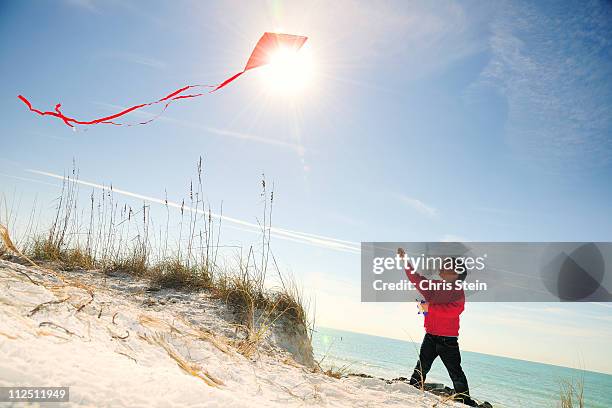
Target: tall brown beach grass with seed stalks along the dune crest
{"x": 110, "y": 236}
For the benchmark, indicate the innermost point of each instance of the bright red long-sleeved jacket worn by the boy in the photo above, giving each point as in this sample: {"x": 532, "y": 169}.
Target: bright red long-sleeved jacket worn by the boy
{"x": 445, "y": 306}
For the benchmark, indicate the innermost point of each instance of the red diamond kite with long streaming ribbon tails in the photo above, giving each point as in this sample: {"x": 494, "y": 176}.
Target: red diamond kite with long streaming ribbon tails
{"x": 267, "y": 45}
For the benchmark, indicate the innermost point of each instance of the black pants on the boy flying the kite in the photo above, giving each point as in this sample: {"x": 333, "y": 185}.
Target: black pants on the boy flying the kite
{"x": 448, "y": 350}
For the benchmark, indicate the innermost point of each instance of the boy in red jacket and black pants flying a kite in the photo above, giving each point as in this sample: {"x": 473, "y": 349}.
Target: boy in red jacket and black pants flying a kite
{"x": 442, "y": 309}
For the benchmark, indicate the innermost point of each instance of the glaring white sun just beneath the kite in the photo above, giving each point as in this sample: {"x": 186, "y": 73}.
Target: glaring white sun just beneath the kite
{"x": 289, "y": 71}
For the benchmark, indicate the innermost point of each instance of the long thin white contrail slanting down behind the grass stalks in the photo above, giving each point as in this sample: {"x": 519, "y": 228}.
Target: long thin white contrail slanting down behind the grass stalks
{"x": 289, "y": 235}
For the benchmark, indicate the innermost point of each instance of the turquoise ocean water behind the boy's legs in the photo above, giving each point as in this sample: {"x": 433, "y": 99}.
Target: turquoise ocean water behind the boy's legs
{"x": 504, "y": 382}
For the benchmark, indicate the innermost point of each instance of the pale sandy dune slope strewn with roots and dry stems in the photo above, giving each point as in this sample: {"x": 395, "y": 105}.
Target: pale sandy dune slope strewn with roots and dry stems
{"x": 117, "y": 350}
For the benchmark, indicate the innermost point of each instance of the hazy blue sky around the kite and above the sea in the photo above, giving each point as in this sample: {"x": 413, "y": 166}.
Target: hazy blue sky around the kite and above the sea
{"x": 423, "y": 122}
